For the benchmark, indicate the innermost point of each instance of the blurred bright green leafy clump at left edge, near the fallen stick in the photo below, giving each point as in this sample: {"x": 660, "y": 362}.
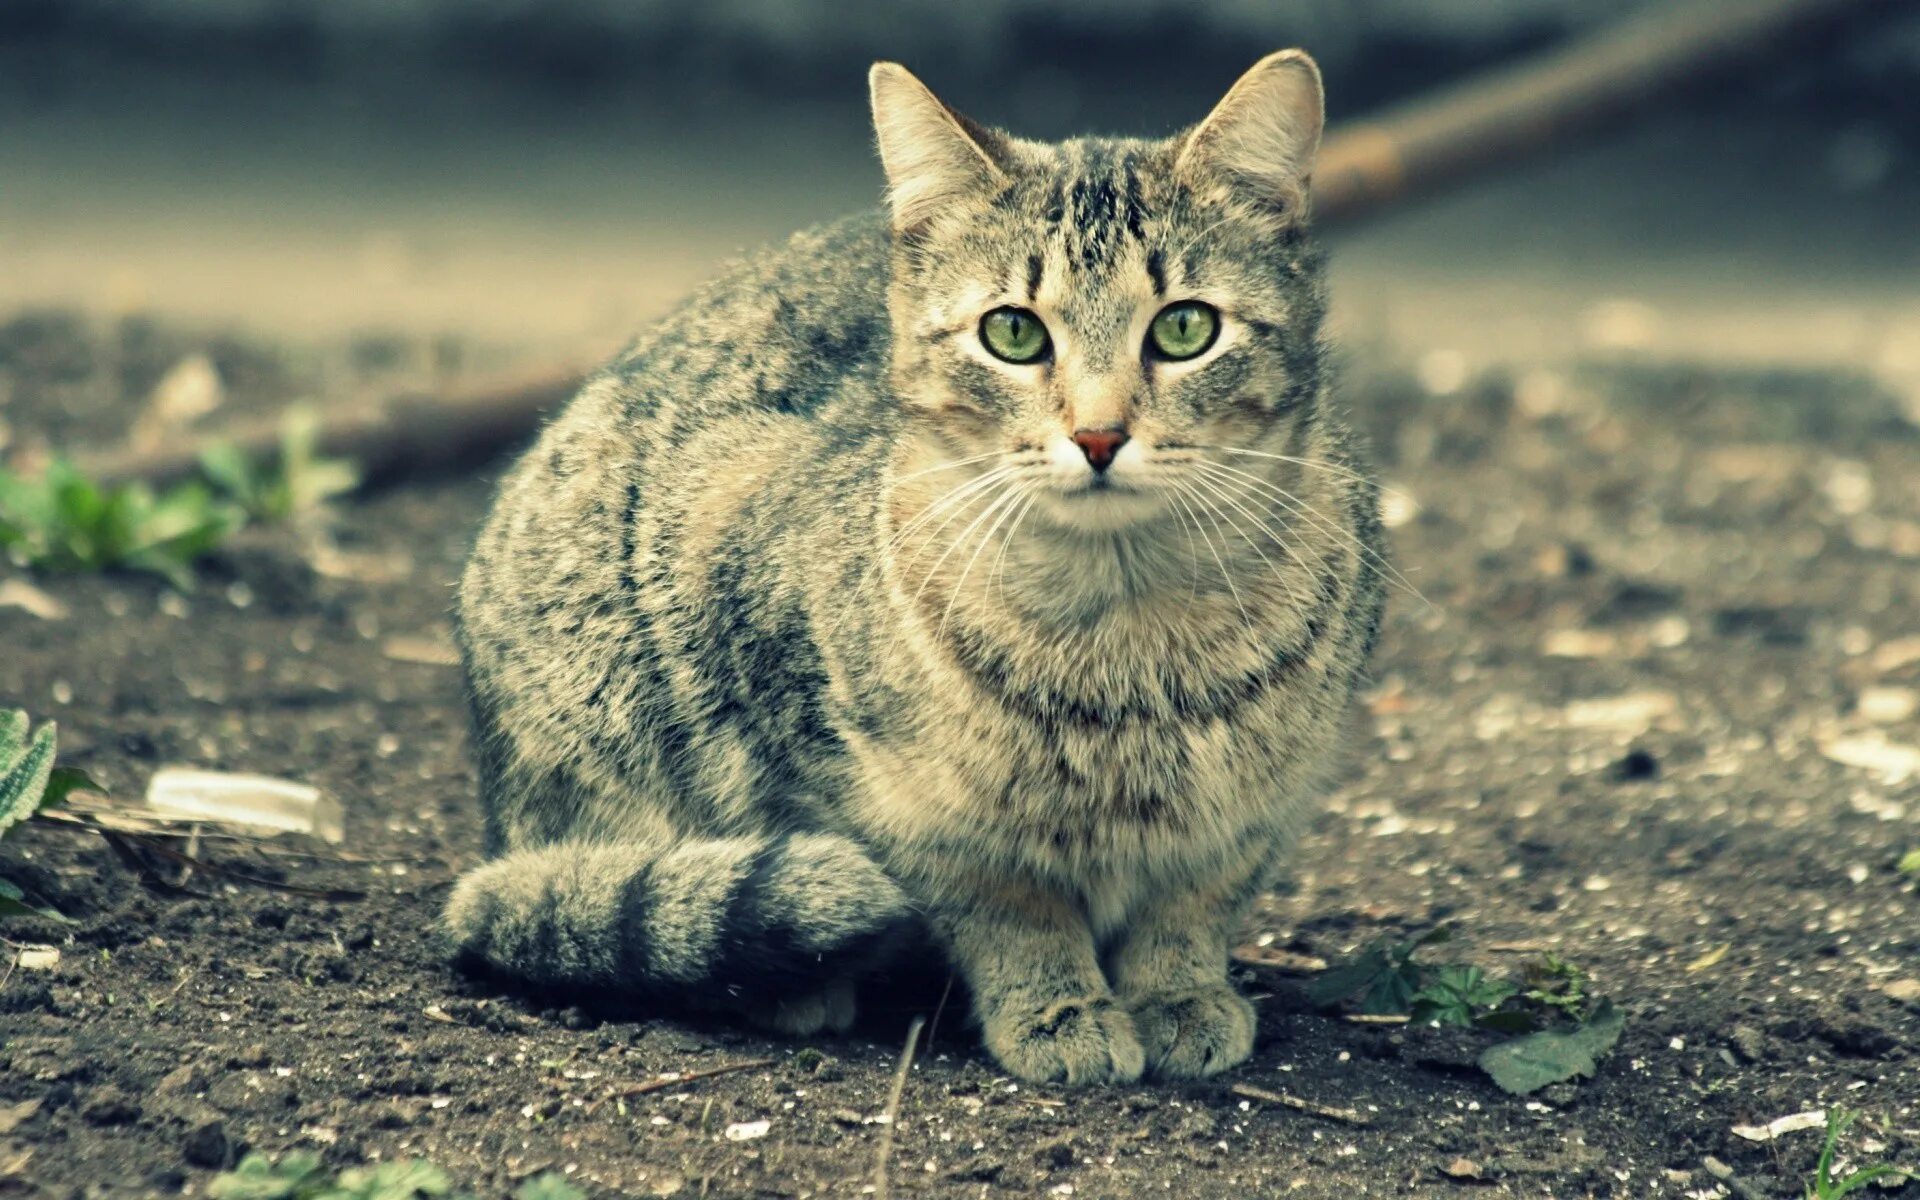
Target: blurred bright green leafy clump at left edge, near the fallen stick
{"x": 64, "y": 521}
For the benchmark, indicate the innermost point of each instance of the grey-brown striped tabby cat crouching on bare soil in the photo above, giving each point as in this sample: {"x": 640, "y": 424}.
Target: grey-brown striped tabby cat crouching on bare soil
{"x": 988, "y": 577}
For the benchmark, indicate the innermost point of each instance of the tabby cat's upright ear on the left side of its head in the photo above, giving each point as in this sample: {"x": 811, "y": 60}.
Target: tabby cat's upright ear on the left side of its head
{"x": 932, "y": 155}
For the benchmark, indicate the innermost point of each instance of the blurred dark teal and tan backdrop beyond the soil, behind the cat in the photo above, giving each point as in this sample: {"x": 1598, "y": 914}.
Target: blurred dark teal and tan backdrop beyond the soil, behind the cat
{"x": 544, "y": 176}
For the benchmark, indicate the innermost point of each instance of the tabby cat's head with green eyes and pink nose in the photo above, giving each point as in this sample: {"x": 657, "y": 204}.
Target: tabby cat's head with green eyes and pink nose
{"x": 1099, "y": 318}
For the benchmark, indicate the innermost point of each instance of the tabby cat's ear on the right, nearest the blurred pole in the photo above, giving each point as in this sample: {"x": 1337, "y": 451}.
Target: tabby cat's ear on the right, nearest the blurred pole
{"x": 1260, "y": 141}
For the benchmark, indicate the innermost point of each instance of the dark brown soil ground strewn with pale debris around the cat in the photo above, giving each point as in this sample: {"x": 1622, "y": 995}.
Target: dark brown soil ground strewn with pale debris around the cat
{"x": 1648, "y": 715}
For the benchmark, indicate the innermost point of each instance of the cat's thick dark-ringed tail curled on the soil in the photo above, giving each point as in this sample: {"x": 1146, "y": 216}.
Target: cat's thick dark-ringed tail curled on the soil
{"x": 731, "y": 923}
